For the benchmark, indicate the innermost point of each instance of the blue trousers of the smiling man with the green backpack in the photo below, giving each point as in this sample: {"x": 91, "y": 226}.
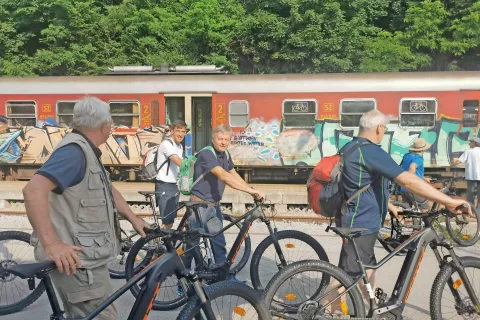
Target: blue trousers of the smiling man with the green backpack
{"x": 212, "y": 220}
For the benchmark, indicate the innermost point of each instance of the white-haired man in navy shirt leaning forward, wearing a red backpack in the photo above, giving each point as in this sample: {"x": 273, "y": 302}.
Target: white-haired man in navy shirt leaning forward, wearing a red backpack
{"x": 369, "y": 168}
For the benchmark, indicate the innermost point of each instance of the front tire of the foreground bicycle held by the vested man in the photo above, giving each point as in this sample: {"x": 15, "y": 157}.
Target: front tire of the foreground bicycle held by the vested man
{"x": 219, "y": 289}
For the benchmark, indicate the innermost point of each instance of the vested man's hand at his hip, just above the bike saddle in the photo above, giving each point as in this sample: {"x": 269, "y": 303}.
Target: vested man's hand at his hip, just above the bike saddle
{"x": 65, "y": 256}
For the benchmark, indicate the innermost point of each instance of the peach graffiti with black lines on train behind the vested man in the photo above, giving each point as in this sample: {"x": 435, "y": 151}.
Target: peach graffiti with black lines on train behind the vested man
{"x": 33, "y": 145}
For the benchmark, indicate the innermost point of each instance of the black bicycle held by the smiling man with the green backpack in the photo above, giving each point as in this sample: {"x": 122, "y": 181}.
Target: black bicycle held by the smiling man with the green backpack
{"x": 287, "y": 248}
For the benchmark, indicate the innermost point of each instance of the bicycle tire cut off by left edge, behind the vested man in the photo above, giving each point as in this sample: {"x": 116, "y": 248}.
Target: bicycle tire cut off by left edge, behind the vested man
{"x": 36, "y": 293}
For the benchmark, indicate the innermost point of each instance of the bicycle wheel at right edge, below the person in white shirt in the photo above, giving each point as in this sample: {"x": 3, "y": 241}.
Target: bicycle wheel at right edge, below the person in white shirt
{"x": 463, "y": 232}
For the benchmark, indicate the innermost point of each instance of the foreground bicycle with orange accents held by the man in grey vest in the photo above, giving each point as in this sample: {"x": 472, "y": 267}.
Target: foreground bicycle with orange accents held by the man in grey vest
{"x": 200, "y": 298}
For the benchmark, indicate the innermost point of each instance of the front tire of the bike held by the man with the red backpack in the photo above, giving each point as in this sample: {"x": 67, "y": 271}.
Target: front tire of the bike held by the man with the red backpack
{"x": 441, "y": 280}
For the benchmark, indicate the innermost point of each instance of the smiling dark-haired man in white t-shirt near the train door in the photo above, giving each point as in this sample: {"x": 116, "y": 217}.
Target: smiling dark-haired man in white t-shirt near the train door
{"x": 169, "y": 160}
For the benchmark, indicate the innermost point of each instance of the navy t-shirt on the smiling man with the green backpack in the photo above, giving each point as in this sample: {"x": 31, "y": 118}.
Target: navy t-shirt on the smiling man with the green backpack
{"x": 210, "y": 187}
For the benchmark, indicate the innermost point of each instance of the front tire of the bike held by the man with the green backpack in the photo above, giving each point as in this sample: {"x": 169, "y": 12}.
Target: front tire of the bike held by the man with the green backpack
{"x": 284, "y": 234}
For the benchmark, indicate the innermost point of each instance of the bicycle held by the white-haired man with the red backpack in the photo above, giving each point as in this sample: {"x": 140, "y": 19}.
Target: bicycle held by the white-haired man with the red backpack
{"x": 312, "y": 307}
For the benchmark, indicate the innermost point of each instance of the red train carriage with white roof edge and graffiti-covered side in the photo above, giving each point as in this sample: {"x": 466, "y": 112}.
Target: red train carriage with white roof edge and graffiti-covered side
{"x": 283, "y": 124}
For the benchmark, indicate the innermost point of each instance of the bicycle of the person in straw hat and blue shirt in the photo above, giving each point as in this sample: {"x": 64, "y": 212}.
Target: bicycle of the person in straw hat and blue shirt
{"x": 397, "y": 232}
